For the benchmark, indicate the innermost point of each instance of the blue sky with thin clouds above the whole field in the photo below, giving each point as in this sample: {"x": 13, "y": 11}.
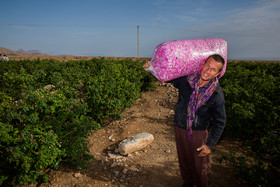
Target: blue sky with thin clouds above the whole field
{"x": 109, "y": 27}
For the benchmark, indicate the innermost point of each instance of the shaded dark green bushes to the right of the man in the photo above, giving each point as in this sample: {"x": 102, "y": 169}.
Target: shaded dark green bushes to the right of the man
{"x": 253, "y": 107}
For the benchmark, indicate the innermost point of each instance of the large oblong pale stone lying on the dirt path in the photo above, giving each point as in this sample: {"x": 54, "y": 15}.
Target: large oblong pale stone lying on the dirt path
{"x": 135, "y": 143}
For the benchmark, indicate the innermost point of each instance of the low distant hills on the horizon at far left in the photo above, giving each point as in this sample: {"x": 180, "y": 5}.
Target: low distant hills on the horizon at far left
{"x": 21, "y": 52}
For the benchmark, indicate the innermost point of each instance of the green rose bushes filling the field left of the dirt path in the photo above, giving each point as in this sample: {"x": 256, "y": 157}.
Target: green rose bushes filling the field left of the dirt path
{"x": 40, "y": 126}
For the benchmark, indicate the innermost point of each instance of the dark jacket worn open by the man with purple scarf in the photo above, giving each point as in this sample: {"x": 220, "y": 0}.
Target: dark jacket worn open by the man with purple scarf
{"x": 213, "y": 111}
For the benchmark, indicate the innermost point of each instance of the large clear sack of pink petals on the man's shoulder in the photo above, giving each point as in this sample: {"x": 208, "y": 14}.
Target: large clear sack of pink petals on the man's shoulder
{"x": 174, "y": 59}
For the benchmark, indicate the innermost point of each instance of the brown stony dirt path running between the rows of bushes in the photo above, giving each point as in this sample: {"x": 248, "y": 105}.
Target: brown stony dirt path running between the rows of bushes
{"x": 156, "y": 165}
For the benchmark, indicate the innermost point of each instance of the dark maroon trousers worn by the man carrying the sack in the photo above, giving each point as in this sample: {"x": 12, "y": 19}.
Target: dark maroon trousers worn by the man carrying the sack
{"x": 194, "y": 170}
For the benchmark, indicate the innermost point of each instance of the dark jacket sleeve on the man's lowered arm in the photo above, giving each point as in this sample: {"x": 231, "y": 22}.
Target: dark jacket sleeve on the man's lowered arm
{"x": 218, "y": 113}
